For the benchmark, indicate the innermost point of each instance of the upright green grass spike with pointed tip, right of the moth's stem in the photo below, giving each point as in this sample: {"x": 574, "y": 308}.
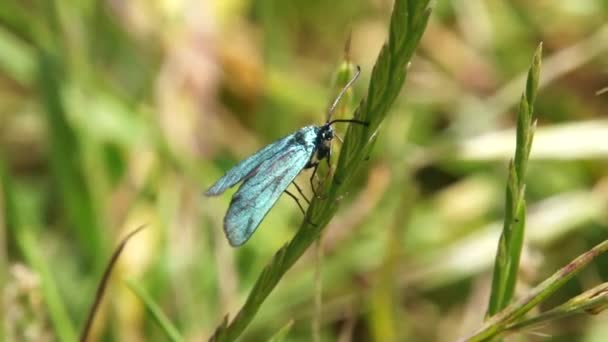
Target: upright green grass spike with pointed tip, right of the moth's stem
{"x": 506, "y": 265}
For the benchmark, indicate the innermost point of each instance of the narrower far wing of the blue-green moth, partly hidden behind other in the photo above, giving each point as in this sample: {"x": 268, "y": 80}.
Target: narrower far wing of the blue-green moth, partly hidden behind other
{"x": 246, "y": 167}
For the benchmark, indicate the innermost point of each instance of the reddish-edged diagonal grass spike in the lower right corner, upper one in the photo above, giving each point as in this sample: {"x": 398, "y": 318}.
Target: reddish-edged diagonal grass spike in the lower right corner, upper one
{"x": 500, "y": 321}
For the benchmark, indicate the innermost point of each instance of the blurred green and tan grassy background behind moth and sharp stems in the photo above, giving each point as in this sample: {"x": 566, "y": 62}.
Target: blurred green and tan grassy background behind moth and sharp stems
{"x": 115, "y": 114}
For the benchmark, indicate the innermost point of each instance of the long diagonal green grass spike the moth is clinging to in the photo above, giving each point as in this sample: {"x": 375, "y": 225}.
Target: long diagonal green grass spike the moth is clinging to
{"x": 408, "y": 22}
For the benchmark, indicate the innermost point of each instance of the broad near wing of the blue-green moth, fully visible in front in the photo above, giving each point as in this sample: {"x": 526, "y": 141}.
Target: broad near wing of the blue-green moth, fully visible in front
{"x": 259, "y": 193}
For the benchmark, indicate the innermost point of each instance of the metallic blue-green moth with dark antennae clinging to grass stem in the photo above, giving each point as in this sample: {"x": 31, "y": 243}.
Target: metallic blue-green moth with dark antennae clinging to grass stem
{"x": 266, "y": 174}
